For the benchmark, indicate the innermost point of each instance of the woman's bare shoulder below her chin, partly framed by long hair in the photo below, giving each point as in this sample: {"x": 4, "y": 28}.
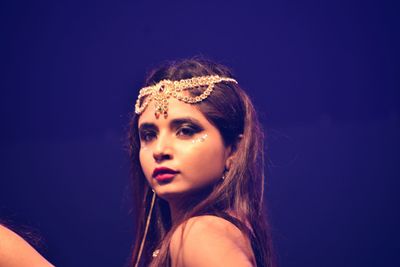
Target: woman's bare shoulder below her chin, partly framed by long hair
{"x": 210, "y": 241}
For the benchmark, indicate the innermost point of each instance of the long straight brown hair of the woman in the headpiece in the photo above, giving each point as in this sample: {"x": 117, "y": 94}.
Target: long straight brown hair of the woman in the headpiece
{"x": 230, "y": 110}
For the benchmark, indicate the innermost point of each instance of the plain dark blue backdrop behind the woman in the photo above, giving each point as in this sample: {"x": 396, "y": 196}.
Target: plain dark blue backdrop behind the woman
{"x": 322, "y": 74}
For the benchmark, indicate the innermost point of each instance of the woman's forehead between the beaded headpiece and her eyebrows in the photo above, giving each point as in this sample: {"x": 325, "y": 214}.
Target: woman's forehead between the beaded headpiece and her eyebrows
{"x": 176, "y": 109}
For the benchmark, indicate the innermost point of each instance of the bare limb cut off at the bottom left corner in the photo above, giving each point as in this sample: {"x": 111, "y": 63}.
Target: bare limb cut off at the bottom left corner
{"x": 15, "y": 251}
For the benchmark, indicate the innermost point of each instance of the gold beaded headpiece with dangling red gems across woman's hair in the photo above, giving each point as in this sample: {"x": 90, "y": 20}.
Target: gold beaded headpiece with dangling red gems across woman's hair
{"x": 164, "y": 89}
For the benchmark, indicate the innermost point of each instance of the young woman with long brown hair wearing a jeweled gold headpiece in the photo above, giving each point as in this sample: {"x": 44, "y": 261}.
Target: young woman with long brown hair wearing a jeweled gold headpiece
{"x": 196, "y": 149}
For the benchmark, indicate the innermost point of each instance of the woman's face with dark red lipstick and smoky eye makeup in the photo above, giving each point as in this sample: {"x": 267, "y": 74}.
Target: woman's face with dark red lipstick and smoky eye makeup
{"x": 182, "y": 153}
